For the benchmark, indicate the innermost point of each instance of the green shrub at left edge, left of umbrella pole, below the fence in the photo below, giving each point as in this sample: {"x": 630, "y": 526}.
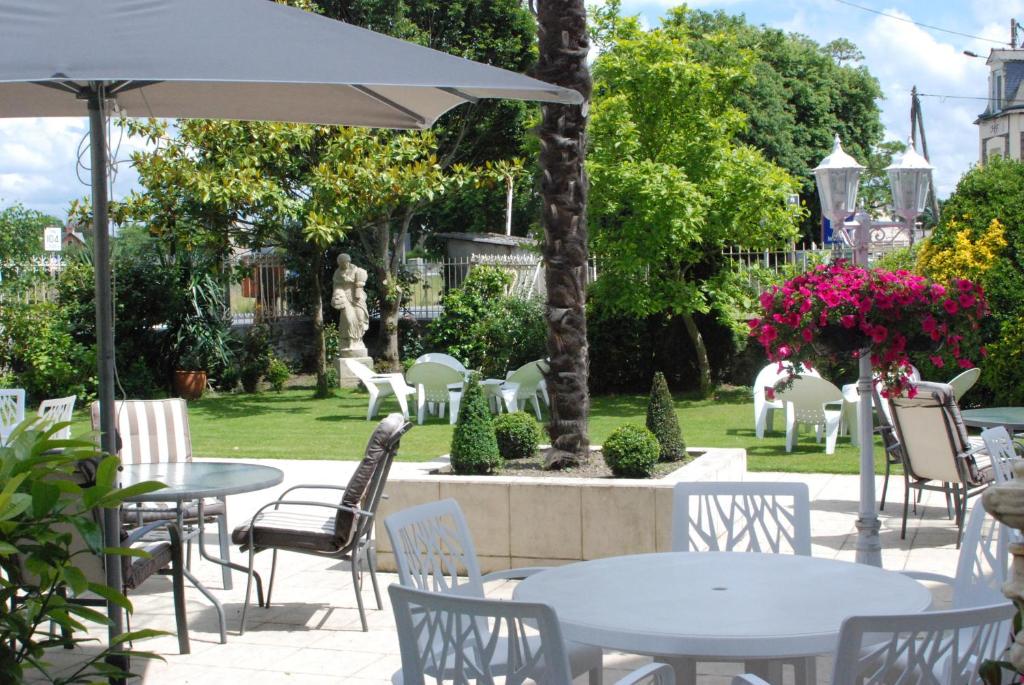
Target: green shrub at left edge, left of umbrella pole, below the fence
{"x": 37, "y": 347}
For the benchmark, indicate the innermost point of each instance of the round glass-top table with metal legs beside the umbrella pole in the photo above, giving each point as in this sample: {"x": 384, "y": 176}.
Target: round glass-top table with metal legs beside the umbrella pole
{"x": 193, "y": 482}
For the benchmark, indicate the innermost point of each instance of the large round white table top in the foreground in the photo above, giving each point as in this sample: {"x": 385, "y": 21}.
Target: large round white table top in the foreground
{"x": 718, "y": 605}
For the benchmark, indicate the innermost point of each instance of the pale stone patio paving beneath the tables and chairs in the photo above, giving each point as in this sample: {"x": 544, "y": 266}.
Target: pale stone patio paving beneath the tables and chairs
{"x": 312, "y": 633}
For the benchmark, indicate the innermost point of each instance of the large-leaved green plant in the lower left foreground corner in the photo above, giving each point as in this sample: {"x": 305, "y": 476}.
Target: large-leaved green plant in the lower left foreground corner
{"x": 40, "y": 502}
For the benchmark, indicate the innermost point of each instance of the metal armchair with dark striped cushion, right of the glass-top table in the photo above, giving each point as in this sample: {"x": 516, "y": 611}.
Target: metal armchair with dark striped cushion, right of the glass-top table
{"x": 335, "y": 531}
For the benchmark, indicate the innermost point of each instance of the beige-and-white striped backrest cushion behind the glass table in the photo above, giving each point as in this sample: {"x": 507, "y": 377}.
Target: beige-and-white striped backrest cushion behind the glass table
{"x": 151, "y": 432}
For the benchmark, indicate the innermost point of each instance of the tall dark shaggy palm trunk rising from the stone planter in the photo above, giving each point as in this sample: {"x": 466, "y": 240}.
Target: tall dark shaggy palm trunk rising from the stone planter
{"x": 564, "y": 49}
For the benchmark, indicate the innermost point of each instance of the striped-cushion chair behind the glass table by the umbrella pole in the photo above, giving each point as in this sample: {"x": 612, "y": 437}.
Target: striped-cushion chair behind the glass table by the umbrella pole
{"x": 156, "y": 432}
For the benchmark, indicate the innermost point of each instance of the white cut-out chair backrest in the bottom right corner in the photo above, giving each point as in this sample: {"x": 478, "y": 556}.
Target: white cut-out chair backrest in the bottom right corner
{"x": 932, "y": 648}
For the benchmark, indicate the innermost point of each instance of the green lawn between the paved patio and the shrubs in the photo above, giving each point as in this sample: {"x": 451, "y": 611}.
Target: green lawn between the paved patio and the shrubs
{"x": 293, "y": 425}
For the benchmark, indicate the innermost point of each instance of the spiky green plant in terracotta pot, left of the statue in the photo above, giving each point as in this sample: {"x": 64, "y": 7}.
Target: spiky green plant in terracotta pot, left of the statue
{"x": 200, "y": 335}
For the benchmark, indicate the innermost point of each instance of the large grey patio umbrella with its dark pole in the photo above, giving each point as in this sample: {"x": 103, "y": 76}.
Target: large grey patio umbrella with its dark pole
{"x": 250, "y": 60}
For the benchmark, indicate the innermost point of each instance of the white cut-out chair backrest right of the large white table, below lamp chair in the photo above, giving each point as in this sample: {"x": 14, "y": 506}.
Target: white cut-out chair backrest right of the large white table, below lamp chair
{"x": 984, "y": 564}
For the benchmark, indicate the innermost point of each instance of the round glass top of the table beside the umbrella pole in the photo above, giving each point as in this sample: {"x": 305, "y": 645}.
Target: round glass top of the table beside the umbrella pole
{"x": 191, "y": 481}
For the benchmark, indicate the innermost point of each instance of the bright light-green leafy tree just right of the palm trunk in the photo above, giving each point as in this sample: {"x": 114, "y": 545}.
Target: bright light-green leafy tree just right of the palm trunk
{"x": 672, "y": 184}
